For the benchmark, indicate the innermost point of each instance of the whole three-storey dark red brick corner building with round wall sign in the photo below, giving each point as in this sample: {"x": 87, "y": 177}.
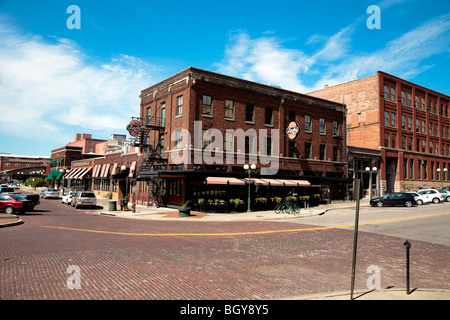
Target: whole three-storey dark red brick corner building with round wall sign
{"x": 217, "y": 123}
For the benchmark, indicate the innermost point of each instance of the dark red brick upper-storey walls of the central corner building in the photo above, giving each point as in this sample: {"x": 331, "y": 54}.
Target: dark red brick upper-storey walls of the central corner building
{"x": 328, "y": 154}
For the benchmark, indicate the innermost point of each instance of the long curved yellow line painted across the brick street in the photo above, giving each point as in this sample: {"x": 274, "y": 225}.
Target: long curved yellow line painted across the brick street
{"x": 241, "y": 233}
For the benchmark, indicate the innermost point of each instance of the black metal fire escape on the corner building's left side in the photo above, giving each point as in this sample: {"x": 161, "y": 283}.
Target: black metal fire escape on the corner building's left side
{"x": 149, "y": 133}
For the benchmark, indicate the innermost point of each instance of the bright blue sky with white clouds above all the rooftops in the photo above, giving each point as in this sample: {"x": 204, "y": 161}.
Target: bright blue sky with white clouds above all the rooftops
{"x": 55, "y": 81}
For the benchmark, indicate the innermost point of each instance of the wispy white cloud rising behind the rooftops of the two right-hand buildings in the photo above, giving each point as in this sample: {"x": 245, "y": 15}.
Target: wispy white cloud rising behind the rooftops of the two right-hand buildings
{"x": 266, "y": 60}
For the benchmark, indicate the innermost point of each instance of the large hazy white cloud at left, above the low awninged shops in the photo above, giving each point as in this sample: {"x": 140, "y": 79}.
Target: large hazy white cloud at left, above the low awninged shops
{"x": 47, "y": 85}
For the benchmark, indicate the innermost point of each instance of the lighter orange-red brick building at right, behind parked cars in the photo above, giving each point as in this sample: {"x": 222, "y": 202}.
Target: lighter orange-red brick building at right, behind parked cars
{"x": 408, "y": 123}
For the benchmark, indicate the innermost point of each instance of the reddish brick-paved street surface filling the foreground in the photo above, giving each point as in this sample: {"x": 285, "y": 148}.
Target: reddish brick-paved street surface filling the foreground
{"x": 34, "y": 259}
